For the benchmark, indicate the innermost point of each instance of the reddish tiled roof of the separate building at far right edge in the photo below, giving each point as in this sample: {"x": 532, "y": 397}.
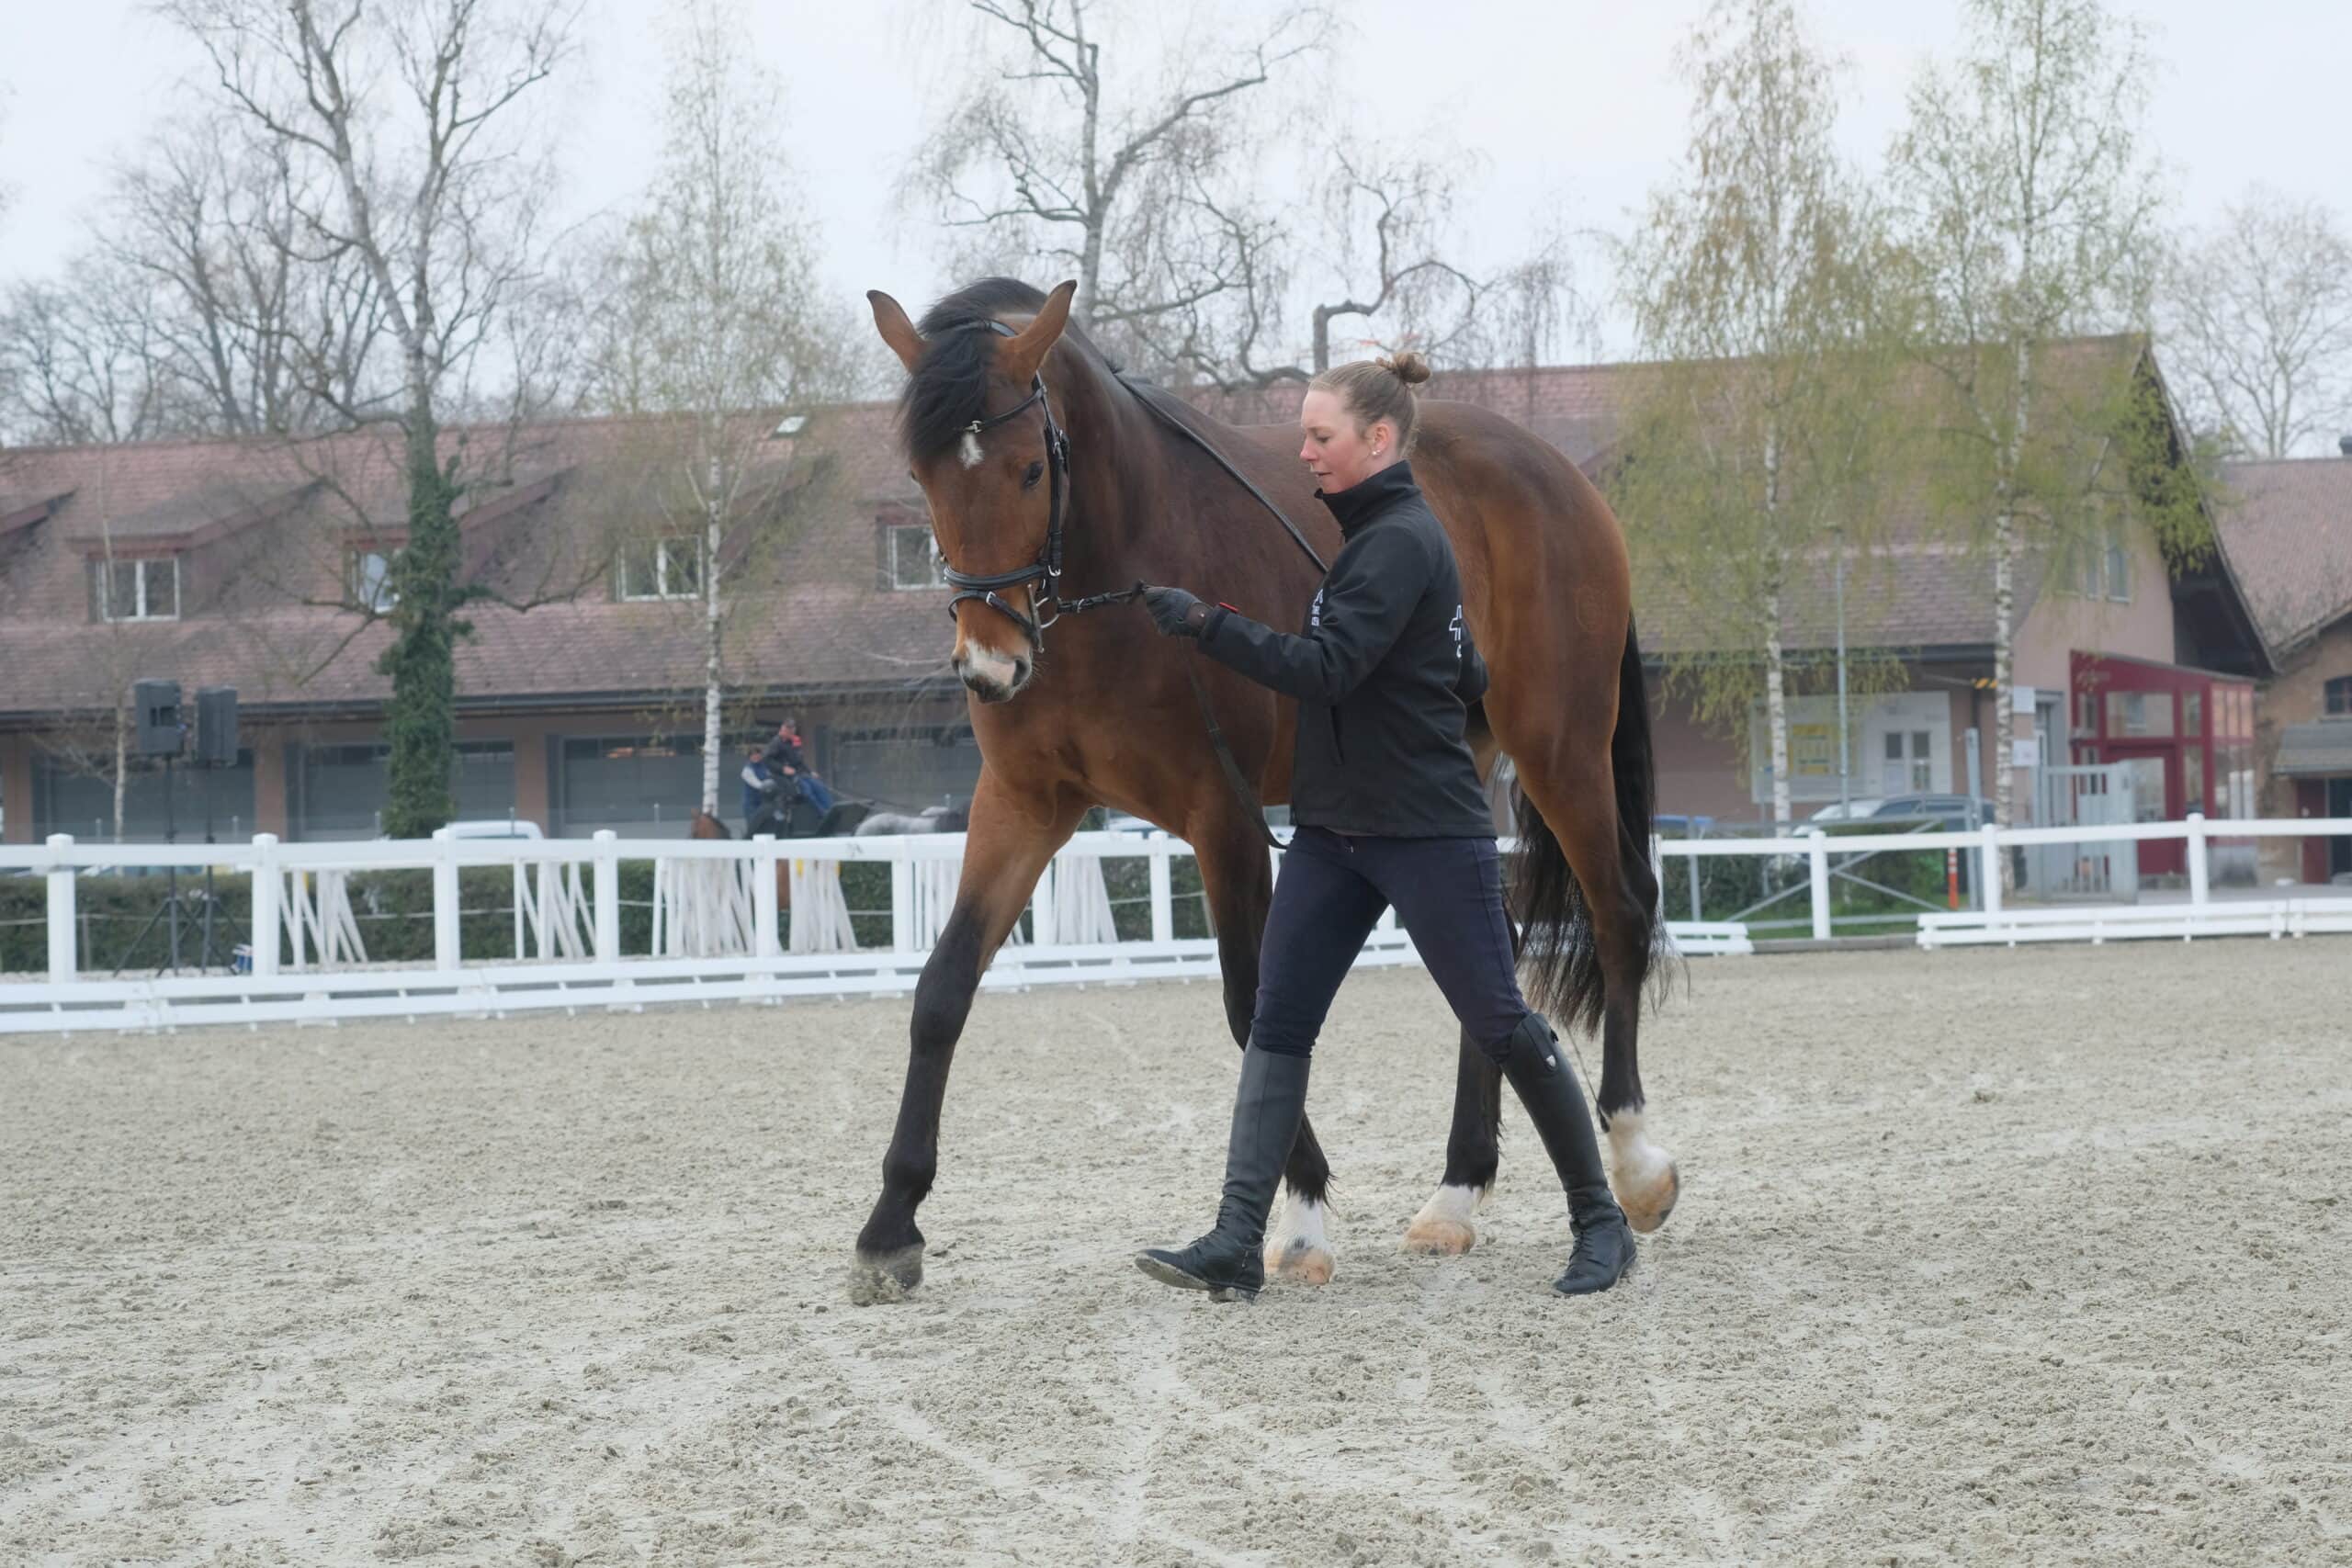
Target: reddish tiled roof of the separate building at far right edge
{"x": 2287, "y": 528}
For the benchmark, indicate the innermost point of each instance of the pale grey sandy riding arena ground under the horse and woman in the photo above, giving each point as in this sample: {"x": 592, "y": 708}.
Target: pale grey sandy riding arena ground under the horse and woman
{"x": 1984, "y": 1257}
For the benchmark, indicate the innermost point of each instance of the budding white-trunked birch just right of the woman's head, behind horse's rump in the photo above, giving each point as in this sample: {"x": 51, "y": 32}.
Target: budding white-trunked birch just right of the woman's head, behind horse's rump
{"x": 1751, "y": 455}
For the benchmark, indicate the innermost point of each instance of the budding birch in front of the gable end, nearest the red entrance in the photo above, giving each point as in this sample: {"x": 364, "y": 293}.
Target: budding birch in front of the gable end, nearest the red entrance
{"x": 2029, "y": 215}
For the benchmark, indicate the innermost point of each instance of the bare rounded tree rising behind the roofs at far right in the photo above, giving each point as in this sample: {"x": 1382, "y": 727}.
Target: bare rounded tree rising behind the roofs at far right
{"x": 2259, "y": 326}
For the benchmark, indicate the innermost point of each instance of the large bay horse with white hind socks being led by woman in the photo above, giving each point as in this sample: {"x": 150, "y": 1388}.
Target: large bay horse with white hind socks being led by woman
{"x": 1041, "y": 464}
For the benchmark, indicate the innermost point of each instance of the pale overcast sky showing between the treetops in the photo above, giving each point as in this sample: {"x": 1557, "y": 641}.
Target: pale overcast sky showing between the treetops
{"x": 1575, "y": 105}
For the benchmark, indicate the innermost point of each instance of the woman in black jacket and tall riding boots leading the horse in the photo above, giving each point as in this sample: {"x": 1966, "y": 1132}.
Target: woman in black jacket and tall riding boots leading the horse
{"x": 1389, "y": 812}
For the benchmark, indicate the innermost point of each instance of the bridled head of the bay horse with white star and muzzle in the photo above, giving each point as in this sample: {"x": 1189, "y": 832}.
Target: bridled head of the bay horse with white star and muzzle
{"x": 977, "y": 431}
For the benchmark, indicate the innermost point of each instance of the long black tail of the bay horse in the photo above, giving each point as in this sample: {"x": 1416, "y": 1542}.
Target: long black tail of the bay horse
{"x": 1563, "y": 963}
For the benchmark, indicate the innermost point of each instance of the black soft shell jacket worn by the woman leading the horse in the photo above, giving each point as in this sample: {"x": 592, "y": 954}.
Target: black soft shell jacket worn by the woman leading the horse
{"x": 1384, "y": 676}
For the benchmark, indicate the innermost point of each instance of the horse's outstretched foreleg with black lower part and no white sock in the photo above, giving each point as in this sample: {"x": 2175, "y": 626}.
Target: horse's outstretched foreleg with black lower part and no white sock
{"x": 1003, "y": 862}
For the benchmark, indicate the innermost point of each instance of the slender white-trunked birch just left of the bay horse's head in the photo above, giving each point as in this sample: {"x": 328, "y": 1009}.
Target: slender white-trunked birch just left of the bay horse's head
{"x": 719, "y": 333}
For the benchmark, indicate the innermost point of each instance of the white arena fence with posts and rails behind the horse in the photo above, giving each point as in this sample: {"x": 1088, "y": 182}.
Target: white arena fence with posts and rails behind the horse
{"x": 730, "y": 927}
